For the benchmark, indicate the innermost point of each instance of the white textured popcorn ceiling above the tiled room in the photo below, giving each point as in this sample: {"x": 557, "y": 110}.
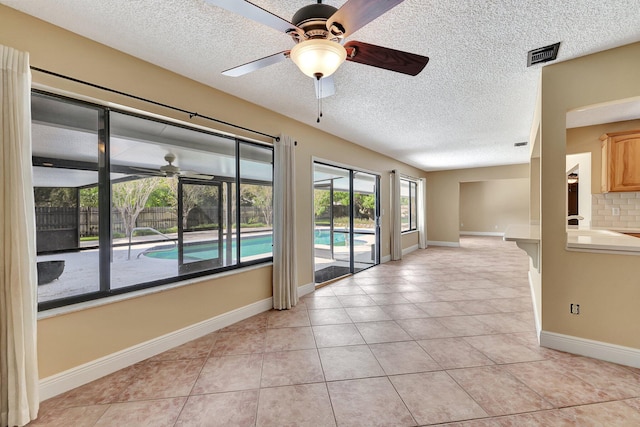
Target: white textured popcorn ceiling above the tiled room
{"x": 472, "y": 102}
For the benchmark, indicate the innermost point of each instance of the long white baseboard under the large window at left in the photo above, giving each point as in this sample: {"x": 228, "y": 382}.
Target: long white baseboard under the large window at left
{"x": 90, "y": 371}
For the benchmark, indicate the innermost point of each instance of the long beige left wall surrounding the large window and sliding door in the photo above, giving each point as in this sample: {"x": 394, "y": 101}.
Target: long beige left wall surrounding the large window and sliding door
{"x": 72, "y": 339}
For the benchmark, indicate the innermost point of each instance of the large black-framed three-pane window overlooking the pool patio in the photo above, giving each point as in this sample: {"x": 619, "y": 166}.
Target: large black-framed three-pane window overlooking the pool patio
{"x": 125, "y": 202}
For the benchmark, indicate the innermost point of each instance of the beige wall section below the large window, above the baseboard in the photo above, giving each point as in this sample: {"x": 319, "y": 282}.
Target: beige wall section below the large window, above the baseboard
{"x": 72, "y": 339}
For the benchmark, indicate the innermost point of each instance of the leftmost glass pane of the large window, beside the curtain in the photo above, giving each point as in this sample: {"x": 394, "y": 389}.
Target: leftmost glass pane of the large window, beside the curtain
{"x": 65, "y": 178}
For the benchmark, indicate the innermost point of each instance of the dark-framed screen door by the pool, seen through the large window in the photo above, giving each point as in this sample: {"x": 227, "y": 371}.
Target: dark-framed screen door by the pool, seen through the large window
{"x": 200, "y": 236}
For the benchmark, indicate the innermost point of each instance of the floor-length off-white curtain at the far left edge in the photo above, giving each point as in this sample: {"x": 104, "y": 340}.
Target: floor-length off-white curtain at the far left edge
{"x": 18, "y": 277}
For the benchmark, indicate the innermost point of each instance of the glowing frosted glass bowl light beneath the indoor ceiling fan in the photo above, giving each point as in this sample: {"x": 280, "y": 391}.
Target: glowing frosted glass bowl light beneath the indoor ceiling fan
{"x": 318, "y": 57}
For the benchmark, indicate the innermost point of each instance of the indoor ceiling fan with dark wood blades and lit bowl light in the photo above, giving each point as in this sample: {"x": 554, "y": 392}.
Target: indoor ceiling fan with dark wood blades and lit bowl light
{"x": 319, "y": 31}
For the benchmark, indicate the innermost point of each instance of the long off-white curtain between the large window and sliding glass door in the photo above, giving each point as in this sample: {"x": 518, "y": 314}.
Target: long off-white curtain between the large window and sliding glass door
{"x": 285, "y": 272}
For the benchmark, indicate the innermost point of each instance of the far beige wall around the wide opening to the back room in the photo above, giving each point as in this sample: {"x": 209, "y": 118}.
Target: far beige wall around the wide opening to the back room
{"x": 443, "y": 197}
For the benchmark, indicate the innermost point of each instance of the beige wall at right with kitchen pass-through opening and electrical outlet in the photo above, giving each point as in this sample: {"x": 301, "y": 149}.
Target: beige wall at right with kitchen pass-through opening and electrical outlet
{"x": 606, "y": 286}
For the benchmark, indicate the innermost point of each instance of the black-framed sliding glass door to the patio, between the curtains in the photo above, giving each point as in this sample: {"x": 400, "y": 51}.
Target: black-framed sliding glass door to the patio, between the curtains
{"x": 346, "y": 225}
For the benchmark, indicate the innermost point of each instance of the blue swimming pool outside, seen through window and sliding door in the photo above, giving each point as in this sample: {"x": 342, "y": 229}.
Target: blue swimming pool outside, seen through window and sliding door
{"x": 251, "y": 246}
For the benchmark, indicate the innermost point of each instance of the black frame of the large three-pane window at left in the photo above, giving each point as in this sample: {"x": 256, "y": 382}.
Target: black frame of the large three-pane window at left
{"x": 105, "y": 214}
